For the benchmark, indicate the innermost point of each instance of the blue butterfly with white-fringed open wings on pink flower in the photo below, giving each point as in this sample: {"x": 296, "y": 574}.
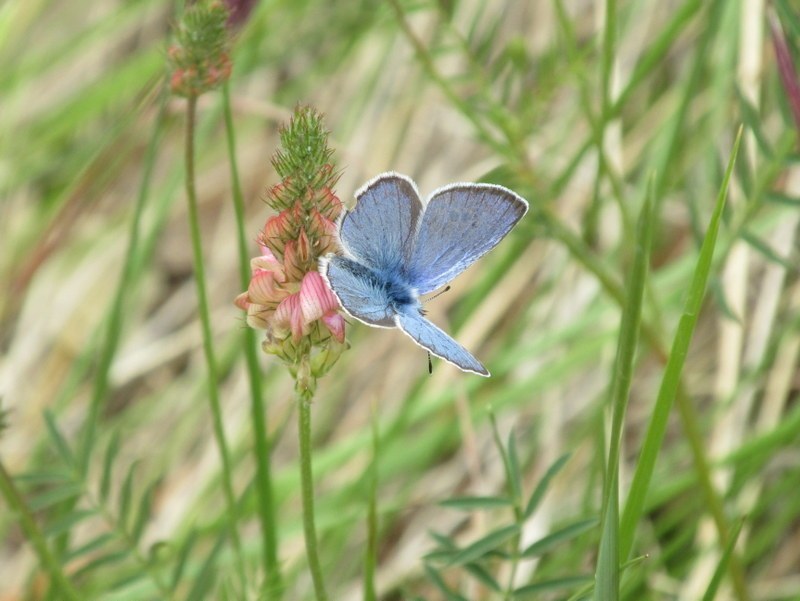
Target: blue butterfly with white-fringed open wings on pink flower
{"x": 397, "y": 248}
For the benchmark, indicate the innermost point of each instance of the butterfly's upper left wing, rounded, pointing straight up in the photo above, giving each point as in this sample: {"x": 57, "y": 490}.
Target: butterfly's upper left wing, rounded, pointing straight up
{"x": 379, "y": 231}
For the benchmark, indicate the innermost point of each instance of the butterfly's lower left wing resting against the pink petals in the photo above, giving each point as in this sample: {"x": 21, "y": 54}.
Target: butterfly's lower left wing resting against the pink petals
{"x": 359, "y": 290}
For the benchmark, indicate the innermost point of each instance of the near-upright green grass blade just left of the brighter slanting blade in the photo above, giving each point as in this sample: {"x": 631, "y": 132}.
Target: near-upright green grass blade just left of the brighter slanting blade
{"x": 608, "y": 563}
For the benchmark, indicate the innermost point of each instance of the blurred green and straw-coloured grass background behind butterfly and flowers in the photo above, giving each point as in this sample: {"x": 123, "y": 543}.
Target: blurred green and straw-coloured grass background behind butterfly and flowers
{"x": 517, "y": 93}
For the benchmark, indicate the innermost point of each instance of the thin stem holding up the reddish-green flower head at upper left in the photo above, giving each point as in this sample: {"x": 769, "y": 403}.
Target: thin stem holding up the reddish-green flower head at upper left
{"x": 208, "y": 345}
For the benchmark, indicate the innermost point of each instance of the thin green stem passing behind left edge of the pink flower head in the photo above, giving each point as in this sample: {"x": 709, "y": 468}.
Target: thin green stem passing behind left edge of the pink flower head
{"x": 265, "y": 506}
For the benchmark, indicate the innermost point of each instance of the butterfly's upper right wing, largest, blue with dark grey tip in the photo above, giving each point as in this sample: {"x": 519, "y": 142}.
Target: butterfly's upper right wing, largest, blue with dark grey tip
{"x": 461, "y": 223}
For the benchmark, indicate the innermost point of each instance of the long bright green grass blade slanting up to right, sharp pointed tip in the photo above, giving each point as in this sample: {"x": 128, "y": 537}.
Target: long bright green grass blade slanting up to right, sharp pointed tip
{"x": 671, "y": 380}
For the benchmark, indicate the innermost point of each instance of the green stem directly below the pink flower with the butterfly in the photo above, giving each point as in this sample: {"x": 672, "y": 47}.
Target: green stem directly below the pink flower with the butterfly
{"x": 307, "y": 485}
